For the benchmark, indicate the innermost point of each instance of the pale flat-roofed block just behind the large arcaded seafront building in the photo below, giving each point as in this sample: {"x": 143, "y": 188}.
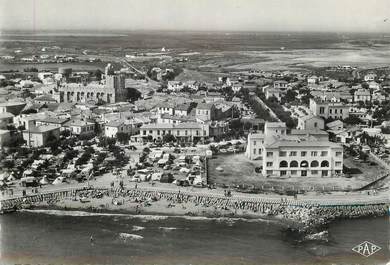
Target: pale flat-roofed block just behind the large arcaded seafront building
{"x": 328, "y": 109}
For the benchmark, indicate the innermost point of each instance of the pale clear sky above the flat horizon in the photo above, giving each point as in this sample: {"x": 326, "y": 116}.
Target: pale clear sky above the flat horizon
{"x": 197, "y": 15}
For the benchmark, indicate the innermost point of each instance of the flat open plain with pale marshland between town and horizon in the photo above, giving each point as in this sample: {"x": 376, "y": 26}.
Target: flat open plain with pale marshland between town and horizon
{"x": 212, "y": 52}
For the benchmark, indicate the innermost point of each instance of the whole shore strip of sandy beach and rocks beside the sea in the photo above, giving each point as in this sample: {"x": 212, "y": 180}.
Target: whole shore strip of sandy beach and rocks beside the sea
{"x": 303, "y": 218}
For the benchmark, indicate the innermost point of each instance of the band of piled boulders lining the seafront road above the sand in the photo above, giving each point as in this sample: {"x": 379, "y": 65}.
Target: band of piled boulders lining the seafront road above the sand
{"x": 307, "y": 214}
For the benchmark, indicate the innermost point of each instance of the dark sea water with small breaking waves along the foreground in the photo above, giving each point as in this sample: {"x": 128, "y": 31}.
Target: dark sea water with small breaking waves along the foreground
{"x": 60, "y": 237}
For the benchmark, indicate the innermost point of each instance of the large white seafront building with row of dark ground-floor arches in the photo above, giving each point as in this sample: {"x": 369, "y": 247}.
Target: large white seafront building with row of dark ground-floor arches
{"x": 294, "y": 155}
